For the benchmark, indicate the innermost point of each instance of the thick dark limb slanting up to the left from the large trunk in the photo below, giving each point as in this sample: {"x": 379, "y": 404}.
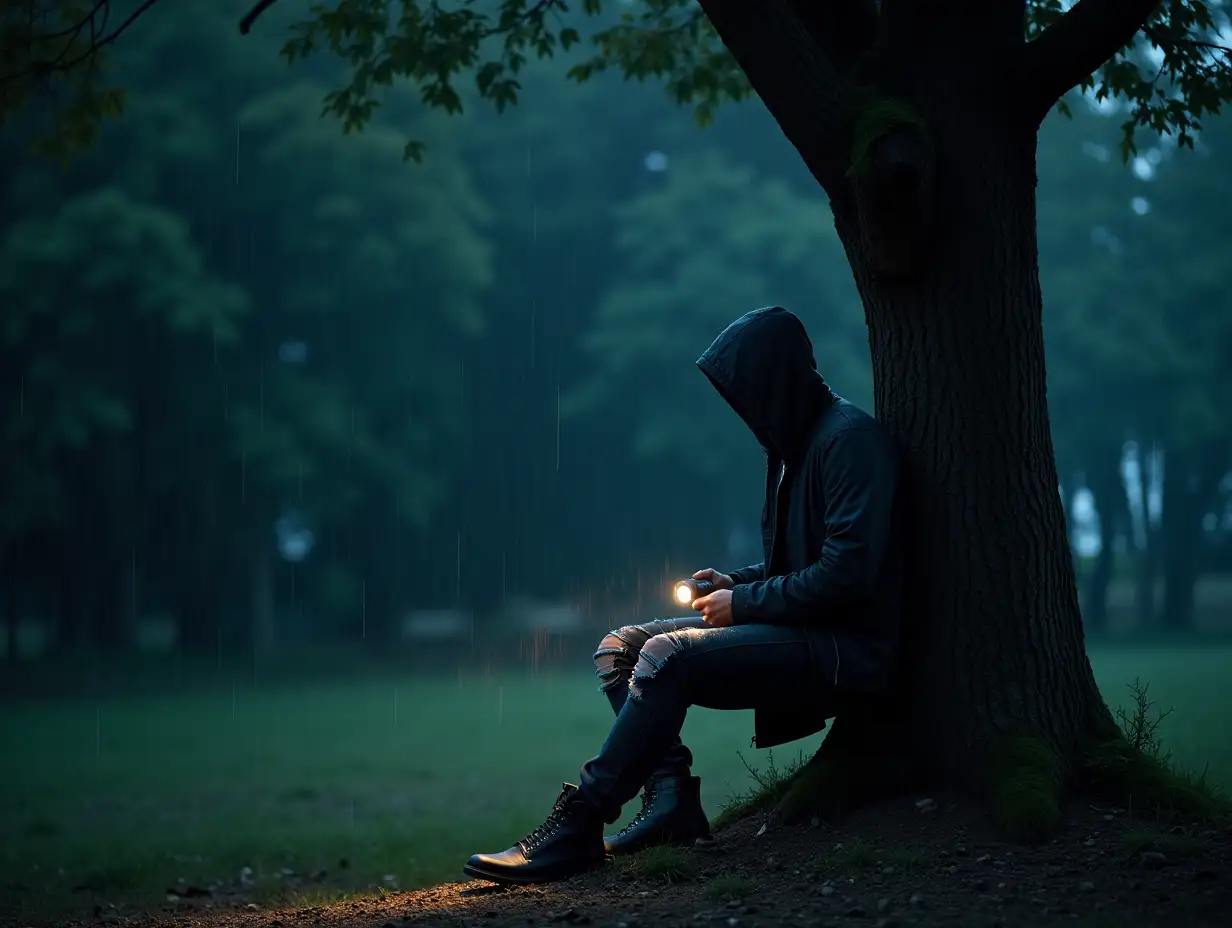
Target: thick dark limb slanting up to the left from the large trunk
{"x": 809, "y": 96}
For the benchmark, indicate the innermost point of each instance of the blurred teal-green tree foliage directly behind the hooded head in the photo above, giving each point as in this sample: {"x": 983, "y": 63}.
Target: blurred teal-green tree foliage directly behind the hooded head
{"x": 694, "y": 253}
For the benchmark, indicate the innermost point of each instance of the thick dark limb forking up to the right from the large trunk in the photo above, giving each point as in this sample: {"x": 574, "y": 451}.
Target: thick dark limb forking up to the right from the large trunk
{"x": 1075, "y": 46}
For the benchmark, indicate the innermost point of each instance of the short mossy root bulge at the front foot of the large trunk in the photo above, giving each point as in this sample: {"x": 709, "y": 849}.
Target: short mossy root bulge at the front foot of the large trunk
{"x": 1026, "y": 783}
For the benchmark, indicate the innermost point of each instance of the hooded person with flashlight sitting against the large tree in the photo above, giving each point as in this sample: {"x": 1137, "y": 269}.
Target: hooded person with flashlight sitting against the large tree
{"x": 817, "y": 622}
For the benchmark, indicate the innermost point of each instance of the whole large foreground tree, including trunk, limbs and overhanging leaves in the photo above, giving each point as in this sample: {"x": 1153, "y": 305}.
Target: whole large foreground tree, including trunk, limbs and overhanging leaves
{"x": 920, "y": 123}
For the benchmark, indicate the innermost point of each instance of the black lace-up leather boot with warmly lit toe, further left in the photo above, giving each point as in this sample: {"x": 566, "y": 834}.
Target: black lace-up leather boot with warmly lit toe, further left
{"x": 569, "y": 844}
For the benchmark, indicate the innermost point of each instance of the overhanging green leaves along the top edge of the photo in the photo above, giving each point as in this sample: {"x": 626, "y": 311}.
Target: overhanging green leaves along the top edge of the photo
{"x": 1171, "y": 75}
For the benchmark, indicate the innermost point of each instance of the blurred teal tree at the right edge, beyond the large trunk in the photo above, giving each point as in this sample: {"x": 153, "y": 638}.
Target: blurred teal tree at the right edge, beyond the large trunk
{"x": 1172, "y": 266}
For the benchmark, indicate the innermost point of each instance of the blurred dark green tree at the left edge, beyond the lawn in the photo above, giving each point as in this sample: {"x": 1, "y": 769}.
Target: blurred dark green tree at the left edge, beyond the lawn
{"x": 108, "y": 307}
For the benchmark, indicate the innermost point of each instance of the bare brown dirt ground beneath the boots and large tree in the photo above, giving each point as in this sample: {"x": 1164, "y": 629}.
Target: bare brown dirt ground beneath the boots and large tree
{"x": 914, "y": 863}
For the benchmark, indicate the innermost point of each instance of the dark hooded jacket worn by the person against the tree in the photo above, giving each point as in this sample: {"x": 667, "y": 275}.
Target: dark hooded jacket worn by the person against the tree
{"x": 833, "y": 559}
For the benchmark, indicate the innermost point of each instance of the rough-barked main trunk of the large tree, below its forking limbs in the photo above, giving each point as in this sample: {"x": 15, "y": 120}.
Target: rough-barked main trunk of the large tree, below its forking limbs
{"x": 959, "y": 378}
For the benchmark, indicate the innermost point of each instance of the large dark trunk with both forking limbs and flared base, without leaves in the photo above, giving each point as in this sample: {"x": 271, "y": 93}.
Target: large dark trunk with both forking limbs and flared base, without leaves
{"x": 921, "y": 123}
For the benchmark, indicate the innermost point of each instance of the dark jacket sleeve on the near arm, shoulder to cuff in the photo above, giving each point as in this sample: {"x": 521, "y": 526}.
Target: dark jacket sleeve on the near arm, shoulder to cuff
{"x": 858, "y": 476}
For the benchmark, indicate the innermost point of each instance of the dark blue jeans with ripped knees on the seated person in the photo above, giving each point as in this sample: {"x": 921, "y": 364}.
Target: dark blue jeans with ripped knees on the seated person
{"x": 652, "y": 674}
